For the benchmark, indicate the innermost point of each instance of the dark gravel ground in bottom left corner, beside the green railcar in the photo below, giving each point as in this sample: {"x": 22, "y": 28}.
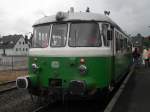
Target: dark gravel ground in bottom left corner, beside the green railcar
{"x": 16, "y": 101}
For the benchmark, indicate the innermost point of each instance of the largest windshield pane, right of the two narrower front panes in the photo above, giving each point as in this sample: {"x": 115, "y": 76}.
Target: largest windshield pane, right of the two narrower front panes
{"x": 84, "y": 35}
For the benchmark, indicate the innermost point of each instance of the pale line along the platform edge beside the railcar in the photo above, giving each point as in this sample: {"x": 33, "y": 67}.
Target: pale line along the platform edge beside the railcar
{"x": 117, "y": 95}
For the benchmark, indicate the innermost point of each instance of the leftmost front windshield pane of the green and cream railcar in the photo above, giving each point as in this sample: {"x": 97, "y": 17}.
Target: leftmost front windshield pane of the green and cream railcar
{"x": 41, "y": 36}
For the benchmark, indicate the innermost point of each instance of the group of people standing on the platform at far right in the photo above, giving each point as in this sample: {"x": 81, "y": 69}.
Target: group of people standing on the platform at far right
{"x": 145, "y": 57}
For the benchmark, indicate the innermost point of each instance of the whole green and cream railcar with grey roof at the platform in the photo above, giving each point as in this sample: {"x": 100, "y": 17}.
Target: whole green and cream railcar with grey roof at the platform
{"x": 76, "y": 53}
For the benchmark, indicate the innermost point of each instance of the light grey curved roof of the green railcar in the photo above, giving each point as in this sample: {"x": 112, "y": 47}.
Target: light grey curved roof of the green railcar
{"x": 78, "y": 16}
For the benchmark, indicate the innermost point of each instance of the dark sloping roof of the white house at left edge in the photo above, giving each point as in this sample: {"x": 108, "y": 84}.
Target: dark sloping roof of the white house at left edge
{"x": 9, "y": 41}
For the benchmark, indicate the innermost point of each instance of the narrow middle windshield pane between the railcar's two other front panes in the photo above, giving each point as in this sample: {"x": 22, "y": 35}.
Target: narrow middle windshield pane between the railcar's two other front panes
{"x": 59, "y": 35}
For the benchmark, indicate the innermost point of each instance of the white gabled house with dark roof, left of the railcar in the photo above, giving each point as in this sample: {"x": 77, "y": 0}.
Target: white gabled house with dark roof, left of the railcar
{"x": 13, "y": 45}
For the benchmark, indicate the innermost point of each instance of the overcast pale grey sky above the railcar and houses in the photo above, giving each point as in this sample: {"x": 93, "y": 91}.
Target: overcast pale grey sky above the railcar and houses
{"x": 18, "y": 16}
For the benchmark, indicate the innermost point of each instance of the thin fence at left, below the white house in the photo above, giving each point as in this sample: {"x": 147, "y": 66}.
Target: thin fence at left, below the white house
{"x": 13, "y": 63}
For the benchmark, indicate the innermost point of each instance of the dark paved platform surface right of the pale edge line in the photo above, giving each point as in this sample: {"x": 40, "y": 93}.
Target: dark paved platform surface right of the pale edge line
{"x": 136, "y": 95}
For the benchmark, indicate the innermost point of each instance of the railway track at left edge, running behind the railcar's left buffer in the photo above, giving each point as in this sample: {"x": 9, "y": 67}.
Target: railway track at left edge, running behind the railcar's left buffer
{"x": 7, "y": 86}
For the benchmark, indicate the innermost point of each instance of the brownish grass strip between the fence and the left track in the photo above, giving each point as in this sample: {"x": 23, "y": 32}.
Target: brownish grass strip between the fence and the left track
{"x": 11, "y": 75}
